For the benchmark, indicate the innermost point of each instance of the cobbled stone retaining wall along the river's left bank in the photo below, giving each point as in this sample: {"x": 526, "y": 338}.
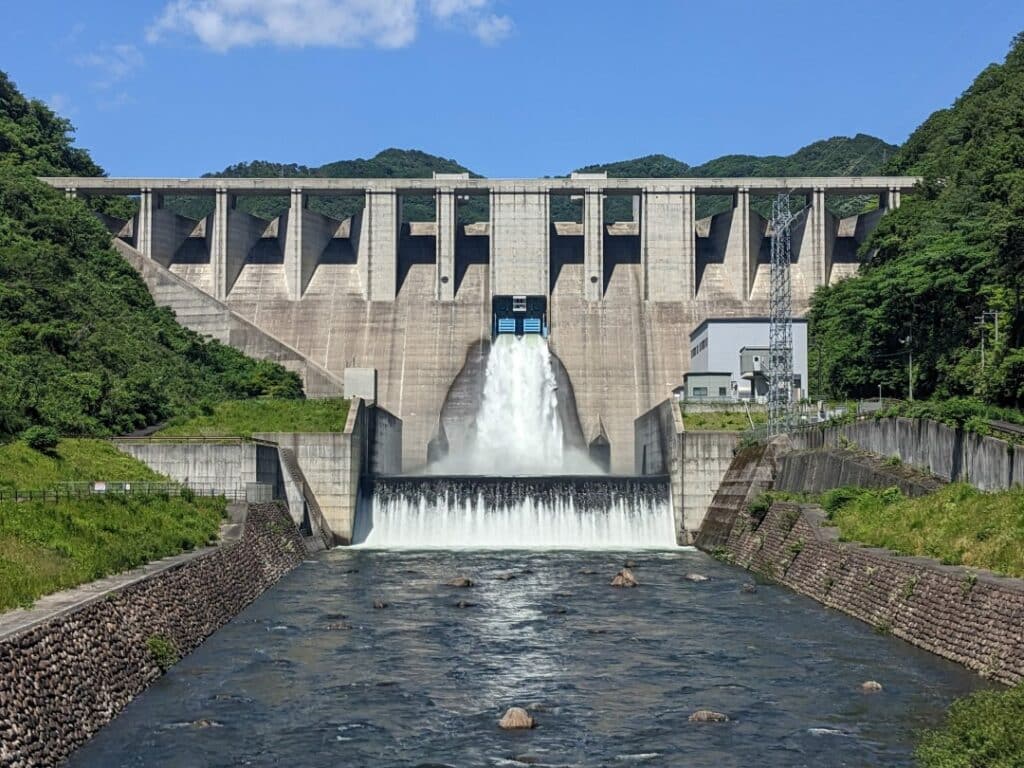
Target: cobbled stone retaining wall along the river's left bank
{"x": 63, "y": 680}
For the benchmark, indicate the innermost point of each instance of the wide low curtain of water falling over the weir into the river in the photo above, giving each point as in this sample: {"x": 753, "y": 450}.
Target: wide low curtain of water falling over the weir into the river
{"x": 581, "y": 513}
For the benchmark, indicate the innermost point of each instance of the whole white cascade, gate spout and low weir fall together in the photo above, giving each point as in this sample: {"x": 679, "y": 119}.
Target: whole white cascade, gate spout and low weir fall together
{"x": 517, "y": 485}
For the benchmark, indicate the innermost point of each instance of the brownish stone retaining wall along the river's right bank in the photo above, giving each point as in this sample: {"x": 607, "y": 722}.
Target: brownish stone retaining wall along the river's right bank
{"x": 972, "y": 618}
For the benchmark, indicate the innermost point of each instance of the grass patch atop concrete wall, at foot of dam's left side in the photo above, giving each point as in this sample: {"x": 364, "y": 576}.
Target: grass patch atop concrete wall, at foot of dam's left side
{"x": 243, "y": 418}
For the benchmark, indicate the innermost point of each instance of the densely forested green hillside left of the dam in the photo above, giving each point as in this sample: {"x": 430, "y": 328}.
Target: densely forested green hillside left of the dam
{"x": 83, "y": 349}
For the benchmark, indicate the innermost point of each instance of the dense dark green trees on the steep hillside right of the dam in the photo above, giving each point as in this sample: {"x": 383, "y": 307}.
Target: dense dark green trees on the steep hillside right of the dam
{"x": 954, "y": 251}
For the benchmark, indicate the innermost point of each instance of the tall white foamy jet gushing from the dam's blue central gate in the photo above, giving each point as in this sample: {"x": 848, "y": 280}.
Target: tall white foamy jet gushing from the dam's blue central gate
{"x": 518, "y": 430}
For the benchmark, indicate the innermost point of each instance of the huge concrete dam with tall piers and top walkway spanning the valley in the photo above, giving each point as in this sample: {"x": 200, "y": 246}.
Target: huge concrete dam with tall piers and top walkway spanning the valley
{"x": 420, "y": 302}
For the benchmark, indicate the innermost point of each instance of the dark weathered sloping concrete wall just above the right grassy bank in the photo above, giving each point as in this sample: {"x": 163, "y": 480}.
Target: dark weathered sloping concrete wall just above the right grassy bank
{"x": 817, "y": 472}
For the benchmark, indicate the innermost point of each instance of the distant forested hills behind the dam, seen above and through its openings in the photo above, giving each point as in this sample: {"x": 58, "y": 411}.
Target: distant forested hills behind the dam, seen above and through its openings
{"x": 862, "y": 155}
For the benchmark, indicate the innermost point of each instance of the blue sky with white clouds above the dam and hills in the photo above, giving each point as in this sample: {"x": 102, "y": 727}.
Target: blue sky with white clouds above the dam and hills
{"x": 509, "y": 89}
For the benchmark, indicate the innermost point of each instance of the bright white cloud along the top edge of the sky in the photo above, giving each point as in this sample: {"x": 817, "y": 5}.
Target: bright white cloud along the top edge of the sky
{"x": 223, "y": 25}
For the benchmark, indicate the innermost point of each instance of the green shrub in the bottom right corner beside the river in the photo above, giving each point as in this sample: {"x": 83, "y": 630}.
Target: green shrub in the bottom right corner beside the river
{"x": 983, "y": 731}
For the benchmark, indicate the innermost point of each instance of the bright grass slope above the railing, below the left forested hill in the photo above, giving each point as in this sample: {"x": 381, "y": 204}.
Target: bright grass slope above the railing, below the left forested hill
{"x": 25, "y": 470}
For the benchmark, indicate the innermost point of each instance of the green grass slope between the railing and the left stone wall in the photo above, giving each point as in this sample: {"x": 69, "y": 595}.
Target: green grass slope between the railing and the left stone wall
{"x": 47, "y": 547}
